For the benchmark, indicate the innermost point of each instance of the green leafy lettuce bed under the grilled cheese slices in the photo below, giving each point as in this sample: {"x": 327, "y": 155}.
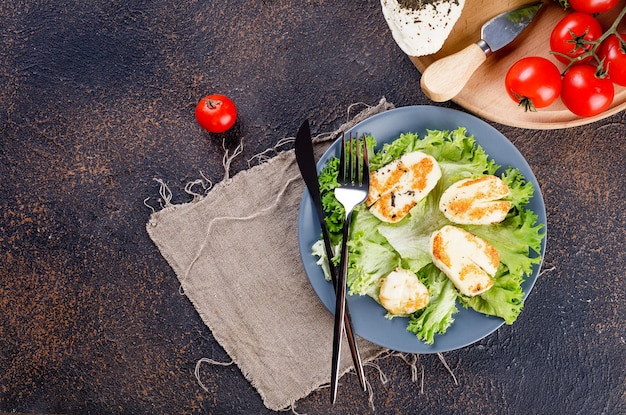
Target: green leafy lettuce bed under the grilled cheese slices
{"x": 377, "y": 248}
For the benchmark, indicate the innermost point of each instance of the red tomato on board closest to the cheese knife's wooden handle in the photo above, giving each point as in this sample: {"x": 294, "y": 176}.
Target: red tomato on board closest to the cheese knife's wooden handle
{"x": 533, "y": 82}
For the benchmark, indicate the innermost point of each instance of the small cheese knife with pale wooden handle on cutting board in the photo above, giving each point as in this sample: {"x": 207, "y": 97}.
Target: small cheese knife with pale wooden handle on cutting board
{"x": 438, "y": 82}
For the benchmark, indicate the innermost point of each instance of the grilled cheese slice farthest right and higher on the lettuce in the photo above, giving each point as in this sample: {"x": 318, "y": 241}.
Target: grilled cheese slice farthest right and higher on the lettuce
{"x": 476, "y": 201}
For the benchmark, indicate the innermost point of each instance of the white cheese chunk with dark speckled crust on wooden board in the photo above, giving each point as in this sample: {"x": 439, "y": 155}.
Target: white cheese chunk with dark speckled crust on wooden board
{"x": 420, "y": 27}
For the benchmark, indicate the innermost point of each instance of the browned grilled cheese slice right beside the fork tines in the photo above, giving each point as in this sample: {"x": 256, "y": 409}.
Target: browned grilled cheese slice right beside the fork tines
{"x": 396, "y": 187}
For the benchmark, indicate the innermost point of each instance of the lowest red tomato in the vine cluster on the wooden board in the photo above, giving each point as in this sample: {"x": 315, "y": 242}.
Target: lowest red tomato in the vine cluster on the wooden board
{"x": 584, "y": 93}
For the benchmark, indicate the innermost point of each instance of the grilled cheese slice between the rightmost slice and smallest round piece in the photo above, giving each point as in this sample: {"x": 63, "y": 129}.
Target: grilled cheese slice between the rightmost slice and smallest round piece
{"x": 467, "y": 260}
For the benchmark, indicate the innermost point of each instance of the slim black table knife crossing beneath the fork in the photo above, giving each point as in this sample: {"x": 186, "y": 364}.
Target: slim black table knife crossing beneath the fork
{"x": 308, "y": 169}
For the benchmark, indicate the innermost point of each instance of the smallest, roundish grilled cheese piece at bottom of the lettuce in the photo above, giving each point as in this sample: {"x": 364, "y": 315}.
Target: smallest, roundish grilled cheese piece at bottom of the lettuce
{"x": 401, "y": 292}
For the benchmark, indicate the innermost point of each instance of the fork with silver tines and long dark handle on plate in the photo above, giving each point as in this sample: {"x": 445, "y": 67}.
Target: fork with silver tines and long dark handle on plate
{"x": 353, "y": 180}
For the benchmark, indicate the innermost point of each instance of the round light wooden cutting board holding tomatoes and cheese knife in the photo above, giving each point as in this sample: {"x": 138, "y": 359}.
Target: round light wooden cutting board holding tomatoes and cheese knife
{"x": 484, "y": 94}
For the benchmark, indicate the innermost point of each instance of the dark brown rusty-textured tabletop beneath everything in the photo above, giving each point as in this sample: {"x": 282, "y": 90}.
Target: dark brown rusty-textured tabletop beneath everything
{"x": 97, "y": 100}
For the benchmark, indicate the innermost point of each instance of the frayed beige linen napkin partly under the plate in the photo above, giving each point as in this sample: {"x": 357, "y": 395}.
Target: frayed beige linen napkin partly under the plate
{"x": 235, "y": 252}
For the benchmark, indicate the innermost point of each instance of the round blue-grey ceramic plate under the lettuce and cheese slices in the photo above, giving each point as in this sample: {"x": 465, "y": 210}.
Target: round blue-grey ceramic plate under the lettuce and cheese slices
{"x": 368, "y": 317}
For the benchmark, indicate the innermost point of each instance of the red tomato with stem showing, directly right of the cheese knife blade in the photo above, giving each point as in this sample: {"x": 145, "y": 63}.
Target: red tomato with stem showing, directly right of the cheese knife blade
{"x": 585, "y": 28}
